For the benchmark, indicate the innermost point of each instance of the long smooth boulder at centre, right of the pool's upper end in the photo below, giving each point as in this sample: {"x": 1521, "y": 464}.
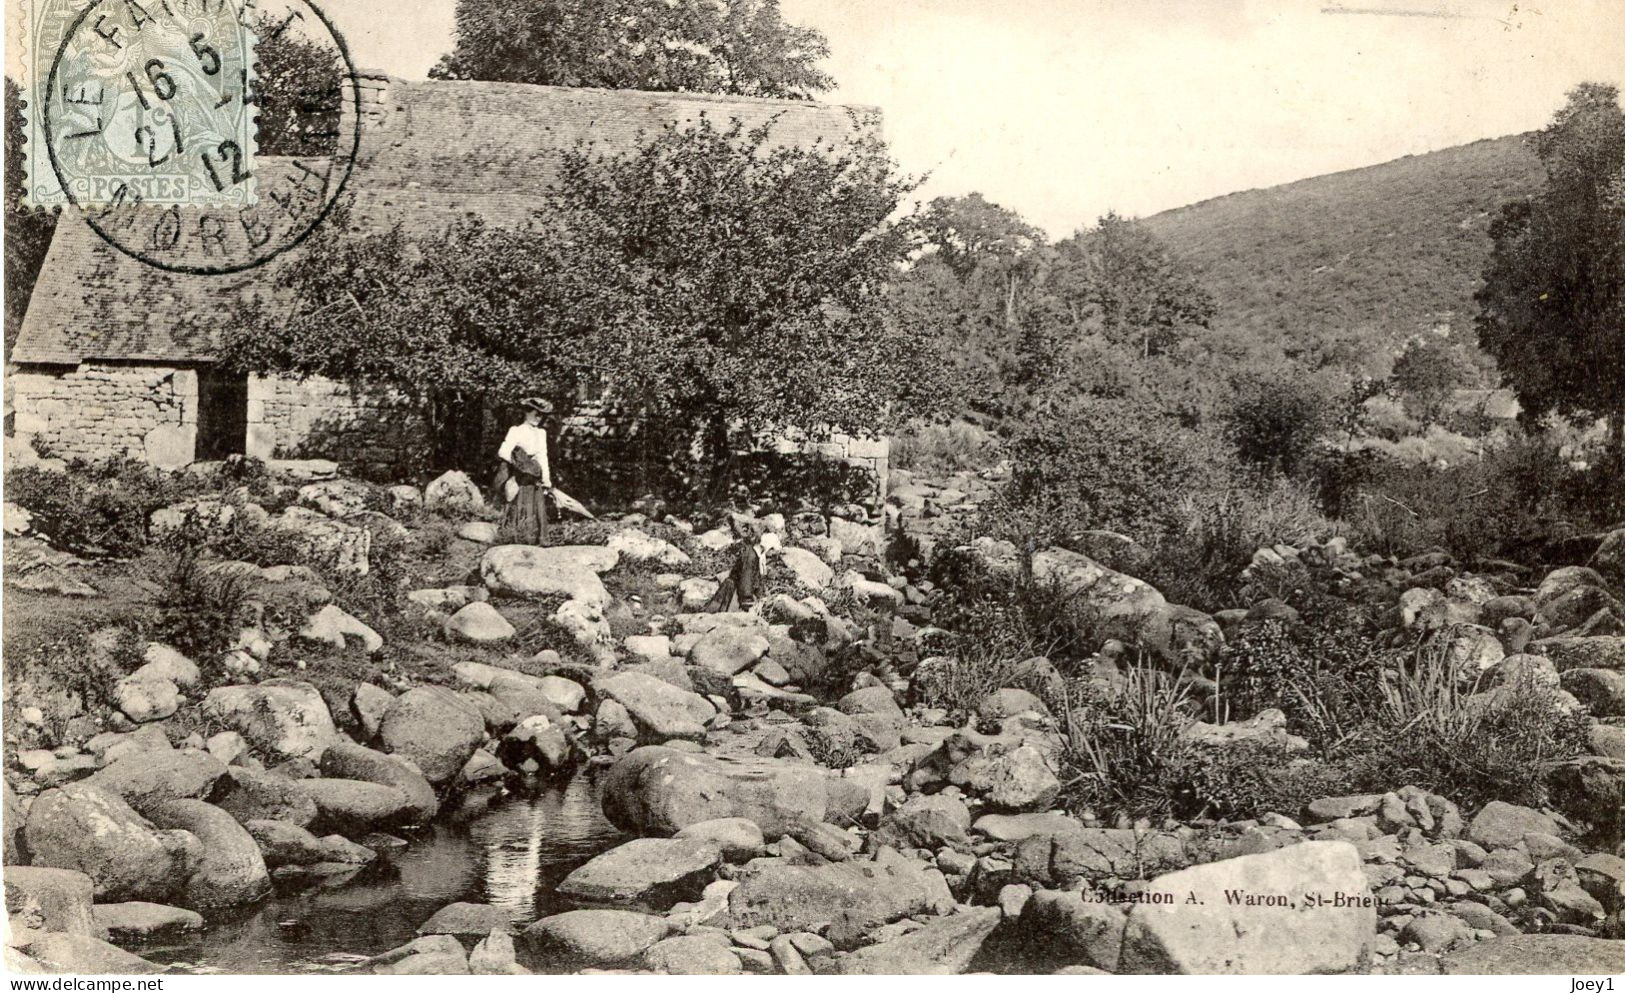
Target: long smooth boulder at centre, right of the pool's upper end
{"x": 661, "y": 791}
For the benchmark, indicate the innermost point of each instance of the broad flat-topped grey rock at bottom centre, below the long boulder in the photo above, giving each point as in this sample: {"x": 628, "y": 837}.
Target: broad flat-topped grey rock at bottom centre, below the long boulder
{"x": 856, "y": 896}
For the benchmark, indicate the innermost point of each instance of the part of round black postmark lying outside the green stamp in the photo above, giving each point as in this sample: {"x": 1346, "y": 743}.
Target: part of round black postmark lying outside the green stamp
{"x": 316, "y": 134}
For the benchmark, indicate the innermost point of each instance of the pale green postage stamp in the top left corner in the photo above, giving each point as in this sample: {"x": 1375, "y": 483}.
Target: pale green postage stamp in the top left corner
{"x": 139, "y": 103}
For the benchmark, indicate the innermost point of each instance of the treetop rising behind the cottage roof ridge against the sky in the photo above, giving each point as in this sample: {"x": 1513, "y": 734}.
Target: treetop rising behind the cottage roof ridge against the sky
{"x": 742, "y": 48}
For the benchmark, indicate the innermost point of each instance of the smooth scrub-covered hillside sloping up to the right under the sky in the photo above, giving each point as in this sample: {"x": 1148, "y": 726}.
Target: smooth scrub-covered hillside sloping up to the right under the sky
{"x": 1367, "y": 256}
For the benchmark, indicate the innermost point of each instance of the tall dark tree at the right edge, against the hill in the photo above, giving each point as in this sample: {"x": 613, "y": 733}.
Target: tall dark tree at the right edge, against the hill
{"x": 1553, "y": 306}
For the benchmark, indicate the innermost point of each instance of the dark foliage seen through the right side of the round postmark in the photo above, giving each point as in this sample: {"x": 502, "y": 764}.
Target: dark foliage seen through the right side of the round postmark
{"x": 300, "y": 90}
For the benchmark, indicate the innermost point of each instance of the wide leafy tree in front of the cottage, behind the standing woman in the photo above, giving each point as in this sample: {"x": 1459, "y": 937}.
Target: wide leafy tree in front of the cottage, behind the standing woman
{"x": 704, "y": 279}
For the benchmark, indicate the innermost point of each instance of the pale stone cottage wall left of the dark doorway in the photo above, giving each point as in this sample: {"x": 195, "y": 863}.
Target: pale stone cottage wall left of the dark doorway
{"x": 108, "y": 410}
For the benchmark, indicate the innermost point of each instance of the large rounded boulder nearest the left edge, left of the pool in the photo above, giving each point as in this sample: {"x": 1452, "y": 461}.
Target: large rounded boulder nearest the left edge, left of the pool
{"x": 97, "y": 833}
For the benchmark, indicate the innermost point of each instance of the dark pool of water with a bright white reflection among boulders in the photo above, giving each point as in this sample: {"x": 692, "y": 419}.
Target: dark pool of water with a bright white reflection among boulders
{"x": 511, "y": 854}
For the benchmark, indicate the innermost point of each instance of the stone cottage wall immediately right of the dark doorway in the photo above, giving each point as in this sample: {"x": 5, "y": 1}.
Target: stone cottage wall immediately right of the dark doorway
{"x": 368, "y": 431}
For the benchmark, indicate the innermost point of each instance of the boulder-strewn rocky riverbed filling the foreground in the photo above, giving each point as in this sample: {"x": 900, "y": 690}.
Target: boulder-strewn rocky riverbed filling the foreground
{"x": 766, "y": 804}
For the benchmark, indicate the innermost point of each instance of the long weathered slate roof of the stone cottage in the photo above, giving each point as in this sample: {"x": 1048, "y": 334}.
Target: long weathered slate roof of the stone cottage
{"x": 431, "y": 154}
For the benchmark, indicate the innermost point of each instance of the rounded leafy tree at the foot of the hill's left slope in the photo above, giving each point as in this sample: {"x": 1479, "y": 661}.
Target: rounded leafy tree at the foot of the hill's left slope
{"x": 1127, "y": 282}
